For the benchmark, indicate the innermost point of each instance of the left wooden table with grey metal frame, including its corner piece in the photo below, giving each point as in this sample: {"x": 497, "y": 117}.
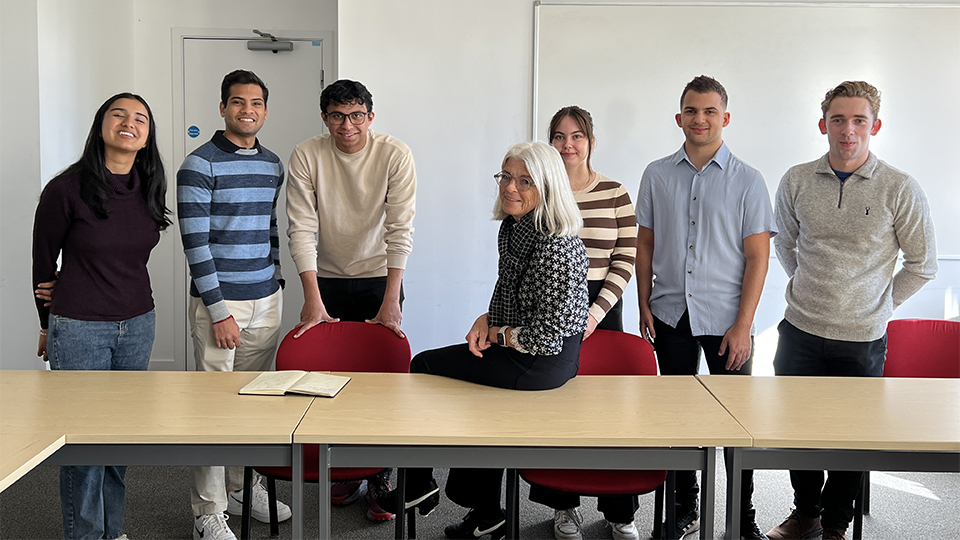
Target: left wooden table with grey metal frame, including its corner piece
{"x": 143, "y": 418}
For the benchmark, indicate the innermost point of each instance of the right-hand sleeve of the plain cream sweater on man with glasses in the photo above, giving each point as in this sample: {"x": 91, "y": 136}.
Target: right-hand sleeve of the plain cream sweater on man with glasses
{"x": 400, "y": 208}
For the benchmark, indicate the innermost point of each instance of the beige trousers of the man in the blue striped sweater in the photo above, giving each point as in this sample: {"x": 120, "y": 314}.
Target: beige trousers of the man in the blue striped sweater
{"x": 259, "y": 322}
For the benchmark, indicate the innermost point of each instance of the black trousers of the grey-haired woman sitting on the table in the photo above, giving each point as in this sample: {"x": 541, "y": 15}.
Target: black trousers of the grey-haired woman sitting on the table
{"x": 501, "y": 367}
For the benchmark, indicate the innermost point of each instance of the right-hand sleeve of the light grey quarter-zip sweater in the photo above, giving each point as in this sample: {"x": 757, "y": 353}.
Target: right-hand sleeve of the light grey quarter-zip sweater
{"x": 914, "y": 229}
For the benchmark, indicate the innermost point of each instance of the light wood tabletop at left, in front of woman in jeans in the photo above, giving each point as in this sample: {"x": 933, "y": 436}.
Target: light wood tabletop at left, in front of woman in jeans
{"x": 136, "y": 407}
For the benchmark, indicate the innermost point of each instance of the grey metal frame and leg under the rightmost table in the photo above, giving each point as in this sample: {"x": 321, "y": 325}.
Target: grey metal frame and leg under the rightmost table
{"x": 827, "y": 459}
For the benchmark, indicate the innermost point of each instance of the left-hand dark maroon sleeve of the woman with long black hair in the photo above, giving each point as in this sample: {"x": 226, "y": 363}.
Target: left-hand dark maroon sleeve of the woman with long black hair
{"x": 50, "y": 226}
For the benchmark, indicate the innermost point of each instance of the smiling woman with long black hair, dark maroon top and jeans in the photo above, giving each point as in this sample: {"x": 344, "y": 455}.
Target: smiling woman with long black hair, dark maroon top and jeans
{"x": 102, "y": 215}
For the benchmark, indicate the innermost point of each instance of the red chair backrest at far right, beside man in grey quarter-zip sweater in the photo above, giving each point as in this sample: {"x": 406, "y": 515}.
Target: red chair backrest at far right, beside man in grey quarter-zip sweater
{"x": 923, "y": 348}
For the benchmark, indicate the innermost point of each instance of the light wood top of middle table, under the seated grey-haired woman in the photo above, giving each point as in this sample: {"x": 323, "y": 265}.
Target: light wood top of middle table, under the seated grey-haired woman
{"x": 594, "y": 411}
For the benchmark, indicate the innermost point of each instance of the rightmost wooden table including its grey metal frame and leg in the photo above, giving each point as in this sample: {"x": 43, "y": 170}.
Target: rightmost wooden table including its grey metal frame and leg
{"x": 840, "y": 423}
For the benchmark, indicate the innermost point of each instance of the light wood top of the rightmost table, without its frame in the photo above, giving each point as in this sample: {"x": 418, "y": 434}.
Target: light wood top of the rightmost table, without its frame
{"x": 854, "y": 413}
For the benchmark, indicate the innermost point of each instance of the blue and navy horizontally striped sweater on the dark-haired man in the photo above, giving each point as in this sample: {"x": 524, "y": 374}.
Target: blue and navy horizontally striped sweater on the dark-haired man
{"x": 227, "y": 209}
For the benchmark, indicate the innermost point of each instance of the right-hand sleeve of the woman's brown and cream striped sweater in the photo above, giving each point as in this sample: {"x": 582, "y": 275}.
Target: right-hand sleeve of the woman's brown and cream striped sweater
{"x": 621, "y": 259}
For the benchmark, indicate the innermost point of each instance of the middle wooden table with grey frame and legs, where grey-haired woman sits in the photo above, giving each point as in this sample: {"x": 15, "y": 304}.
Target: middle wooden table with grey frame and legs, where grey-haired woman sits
{"x": 621, "y": 422}
